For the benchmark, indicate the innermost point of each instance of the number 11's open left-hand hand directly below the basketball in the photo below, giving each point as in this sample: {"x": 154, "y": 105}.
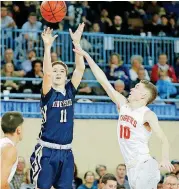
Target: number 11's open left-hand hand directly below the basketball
{"x": 47, "y": 37}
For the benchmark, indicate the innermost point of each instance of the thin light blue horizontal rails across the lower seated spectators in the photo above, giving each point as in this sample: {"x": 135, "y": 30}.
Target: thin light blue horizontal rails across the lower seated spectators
{"x": 92, "y": 97}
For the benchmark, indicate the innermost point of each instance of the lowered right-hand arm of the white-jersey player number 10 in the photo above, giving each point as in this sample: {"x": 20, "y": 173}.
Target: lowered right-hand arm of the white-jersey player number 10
{"x": 152, "y": 119}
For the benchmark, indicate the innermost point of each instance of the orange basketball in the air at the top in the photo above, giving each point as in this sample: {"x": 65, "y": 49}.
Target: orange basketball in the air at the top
{"x": 53, "y": 11}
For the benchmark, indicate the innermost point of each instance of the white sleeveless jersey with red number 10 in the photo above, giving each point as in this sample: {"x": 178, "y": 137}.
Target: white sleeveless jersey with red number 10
{"x": 132, "y": 135}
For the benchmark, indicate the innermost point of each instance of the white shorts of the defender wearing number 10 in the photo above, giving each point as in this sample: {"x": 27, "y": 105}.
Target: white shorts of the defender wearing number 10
{"x": 144, "y": 175}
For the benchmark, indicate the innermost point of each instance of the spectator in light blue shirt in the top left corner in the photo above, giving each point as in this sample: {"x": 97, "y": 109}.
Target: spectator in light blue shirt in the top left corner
{"x": 6, "y": 21}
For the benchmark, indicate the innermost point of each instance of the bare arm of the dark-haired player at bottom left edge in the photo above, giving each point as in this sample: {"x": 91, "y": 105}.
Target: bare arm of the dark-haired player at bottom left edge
{"x": 8, "y": 158}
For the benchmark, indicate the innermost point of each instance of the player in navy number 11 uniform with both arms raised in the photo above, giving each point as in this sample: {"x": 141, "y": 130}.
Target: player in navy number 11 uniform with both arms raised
{"x": 52, "y": 161}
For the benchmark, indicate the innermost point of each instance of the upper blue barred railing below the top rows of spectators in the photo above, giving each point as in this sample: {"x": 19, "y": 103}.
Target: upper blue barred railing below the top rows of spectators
{"x": 100, "y": 46}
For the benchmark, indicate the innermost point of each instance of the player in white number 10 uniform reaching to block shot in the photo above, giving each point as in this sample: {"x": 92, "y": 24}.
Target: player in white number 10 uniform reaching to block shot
{"x": 135, "y": 126}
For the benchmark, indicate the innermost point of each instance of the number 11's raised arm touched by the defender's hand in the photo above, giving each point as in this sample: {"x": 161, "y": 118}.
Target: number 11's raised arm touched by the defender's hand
{"x": 79, "y": 60}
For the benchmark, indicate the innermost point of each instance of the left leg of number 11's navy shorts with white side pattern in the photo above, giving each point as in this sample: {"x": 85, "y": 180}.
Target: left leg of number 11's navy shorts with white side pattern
{"x": 42, "y": 172}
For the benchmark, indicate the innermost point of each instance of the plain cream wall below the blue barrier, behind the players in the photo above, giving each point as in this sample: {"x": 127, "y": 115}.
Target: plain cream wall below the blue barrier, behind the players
{"x": 95, "y": 142}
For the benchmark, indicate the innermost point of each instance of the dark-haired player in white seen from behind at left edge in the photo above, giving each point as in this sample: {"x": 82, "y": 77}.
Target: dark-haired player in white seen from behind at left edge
{"x": 11, "y": 125}
